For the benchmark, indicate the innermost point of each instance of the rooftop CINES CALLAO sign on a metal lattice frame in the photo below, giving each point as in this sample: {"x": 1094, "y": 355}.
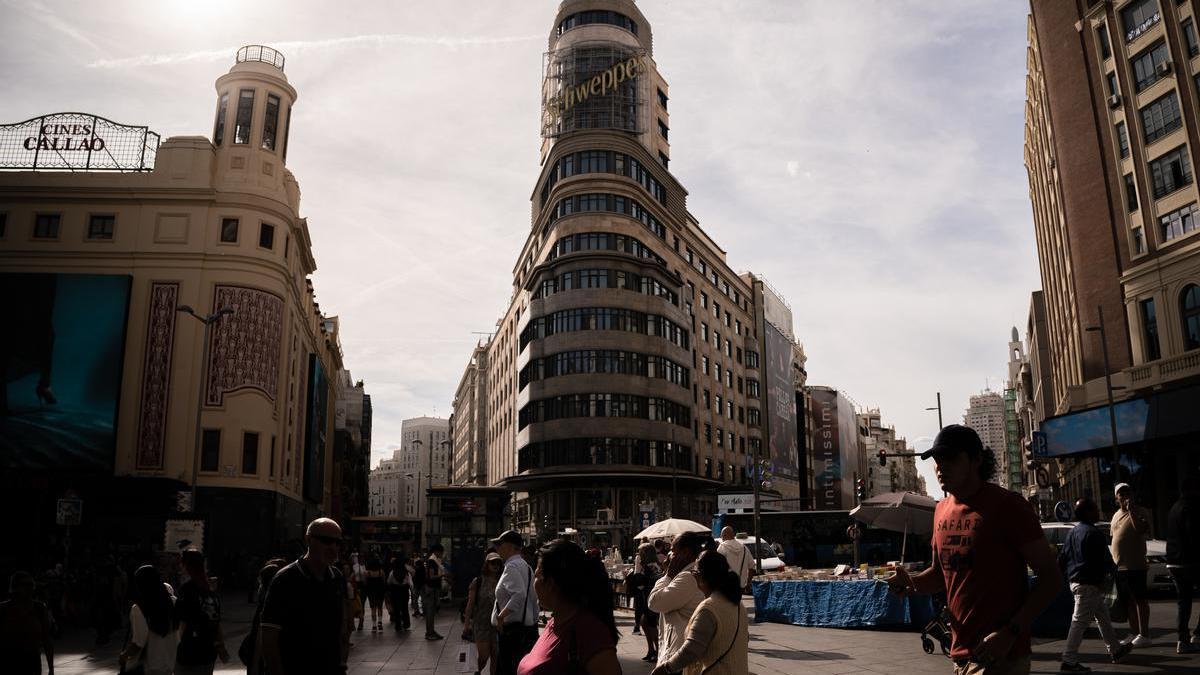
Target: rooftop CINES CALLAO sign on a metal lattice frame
{"x": 76, "y": 142}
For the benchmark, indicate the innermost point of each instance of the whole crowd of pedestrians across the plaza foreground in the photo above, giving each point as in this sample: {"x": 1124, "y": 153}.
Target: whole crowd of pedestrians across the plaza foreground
{"x": 687, "y": 594}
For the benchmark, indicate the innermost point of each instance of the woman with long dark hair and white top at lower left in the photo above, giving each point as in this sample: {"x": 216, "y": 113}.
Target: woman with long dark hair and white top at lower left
{"x": 154, "y": 628}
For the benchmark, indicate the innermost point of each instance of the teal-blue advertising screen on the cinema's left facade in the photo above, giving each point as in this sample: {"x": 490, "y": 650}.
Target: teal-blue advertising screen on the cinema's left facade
{"x": 63, "y": 349}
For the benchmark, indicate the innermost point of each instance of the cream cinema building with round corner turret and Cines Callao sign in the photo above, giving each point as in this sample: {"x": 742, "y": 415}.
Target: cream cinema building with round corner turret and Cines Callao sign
{"x": 105, "y": 236}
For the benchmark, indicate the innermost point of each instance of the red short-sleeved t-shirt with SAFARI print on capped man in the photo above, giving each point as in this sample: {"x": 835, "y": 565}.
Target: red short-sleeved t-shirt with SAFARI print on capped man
{"x": 977, "y": 543}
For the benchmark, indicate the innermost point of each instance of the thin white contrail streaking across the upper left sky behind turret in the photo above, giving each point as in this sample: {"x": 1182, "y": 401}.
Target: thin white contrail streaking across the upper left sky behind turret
{"x": 293, "y": 47}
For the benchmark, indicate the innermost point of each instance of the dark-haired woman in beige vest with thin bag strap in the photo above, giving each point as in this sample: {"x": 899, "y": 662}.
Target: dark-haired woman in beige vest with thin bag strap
{"x": 718, "y": 638}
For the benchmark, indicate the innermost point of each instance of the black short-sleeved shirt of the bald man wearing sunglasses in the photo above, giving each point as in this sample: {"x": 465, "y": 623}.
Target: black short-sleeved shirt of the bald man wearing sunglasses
{"x": 308, "y": 612}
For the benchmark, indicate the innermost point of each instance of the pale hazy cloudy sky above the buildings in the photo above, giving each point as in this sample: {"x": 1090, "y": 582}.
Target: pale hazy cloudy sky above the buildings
{"x": 865, "y": 158}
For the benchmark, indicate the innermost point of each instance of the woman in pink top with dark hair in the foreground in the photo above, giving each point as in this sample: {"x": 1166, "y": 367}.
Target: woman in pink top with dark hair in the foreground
{"x": 581, "y": 636}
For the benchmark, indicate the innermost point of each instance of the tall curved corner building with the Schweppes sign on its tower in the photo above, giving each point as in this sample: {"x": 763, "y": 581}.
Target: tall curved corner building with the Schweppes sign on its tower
{"x": 623, "y": 381}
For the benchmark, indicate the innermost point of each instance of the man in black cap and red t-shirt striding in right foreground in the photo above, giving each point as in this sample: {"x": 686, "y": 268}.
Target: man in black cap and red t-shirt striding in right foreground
{"x": 983, "y": 540}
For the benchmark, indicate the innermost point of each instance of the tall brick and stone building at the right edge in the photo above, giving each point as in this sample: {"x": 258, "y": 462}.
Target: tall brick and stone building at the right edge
{"x": 1112, "y": 141}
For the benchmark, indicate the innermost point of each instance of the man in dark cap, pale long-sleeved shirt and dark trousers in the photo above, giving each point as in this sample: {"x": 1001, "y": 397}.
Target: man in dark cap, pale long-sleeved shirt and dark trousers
{"x": 517, "y": 606}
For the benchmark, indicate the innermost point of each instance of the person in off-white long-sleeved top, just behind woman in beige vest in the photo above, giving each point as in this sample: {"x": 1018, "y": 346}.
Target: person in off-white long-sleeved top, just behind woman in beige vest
{"x": 676, "y": 595}
